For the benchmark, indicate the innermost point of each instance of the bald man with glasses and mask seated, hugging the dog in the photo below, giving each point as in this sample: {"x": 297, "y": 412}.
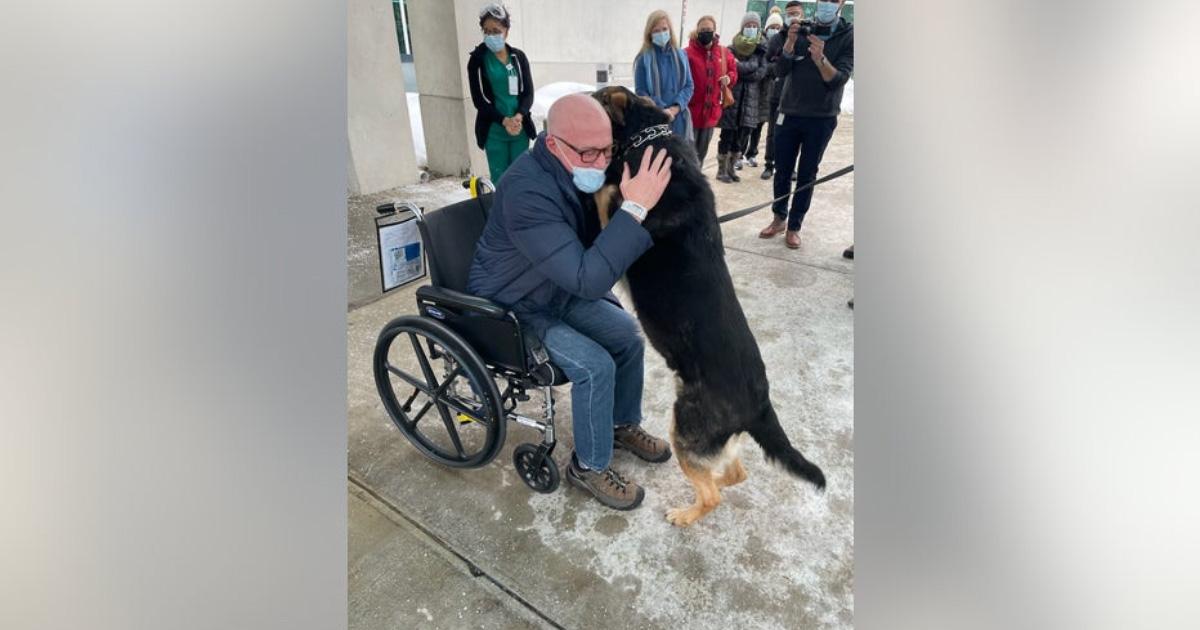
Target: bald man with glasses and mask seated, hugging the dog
{"x": 555, "y": 267}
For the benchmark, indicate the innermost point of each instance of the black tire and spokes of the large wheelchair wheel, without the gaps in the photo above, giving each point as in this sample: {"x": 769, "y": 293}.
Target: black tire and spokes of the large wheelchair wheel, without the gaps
{"x": 421, "y": 332}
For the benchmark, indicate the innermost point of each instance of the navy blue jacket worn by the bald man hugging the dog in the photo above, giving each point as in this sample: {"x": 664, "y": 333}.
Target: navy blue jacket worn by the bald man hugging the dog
{"x": 536, "y": 251}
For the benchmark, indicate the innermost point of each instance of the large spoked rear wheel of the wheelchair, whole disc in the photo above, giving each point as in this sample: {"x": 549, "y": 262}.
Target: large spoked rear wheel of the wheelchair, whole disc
{"x": 459, "y": 418}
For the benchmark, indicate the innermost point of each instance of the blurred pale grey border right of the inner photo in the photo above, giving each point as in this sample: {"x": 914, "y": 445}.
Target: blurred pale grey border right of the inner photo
{"x": 1028, "y": 351}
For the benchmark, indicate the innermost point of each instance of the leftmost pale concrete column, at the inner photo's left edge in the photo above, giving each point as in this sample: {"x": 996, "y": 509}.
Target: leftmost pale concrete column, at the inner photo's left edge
{"x": 381, "y": 140}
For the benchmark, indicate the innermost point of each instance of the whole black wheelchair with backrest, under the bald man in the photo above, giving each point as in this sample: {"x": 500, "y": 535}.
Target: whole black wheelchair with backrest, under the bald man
{"x": 458, "y": 349}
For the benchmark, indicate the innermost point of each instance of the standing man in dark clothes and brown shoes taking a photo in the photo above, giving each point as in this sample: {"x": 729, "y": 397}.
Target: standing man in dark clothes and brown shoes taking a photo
{"x": 814, "y": 59}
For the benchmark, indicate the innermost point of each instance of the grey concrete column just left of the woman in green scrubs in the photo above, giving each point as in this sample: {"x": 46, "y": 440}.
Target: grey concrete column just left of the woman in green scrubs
{"x": 443, "y": 33}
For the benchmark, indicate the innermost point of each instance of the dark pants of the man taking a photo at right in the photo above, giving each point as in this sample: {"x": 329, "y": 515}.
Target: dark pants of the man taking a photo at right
{"x": 808, "y": 137}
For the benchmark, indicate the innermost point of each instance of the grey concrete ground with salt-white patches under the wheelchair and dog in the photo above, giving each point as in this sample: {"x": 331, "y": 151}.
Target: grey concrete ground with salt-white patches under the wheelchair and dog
{"x": 439, "y": 548}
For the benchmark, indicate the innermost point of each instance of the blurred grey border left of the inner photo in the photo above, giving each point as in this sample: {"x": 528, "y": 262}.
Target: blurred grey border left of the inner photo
{"x": 173, "y": 332}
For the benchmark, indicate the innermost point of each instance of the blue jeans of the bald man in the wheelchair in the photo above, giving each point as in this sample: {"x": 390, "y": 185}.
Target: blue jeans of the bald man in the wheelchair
{"x": 601, "y": 350}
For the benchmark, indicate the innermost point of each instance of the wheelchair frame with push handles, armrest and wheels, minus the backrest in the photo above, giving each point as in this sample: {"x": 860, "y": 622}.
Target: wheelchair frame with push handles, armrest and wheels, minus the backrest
{"x": 482, "y": 341}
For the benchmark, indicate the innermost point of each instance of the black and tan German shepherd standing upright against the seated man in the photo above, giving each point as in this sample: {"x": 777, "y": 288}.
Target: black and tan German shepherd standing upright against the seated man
{"x": 685, "y": 299}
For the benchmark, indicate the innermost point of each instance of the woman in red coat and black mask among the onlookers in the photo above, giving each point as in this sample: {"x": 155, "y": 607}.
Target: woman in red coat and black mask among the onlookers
{"x": 705, "y": 57}
